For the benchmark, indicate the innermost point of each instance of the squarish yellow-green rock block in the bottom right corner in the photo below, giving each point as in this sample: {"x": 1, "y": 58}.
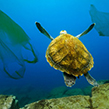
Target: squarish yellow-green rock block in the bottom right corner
{"x": 100, "y": 97}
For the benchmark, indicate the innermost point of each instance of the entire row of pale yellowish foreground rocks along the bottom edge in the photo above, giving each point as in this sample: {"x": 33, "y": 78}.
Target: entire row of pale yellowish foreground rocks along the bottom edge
{"x": 98, "y": 99}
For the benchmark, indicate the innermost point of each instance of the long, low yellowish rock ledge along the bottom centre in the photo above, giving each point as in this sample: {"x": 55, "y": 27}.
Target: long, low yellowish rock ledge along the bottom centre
{"x": 73, "y": 102}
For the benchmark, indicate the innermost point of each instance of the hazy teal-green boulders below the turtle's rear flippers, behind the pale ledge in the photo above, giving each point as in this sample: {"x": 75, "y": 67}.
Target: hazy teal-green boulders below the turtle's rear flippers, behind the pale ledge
{"x": 63, "y": 91}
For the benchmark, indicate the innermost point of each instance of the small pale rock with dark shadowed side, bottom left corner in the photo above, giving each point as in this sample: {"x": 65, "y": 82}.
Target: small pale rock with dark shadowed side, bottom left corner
{"x": 8, "y": 102}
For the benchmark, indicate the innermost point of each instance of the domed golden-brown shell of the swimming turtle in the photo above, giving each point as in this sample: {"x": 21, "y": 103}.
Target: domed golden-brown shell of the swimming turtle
{"x": 68, "y": 54}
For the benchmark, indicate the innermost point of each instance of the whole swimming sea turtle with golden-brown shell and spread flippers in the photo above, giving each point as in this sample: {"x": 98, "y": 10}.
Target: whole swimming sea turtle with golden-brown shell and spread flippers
{"x": 68, "y": 54}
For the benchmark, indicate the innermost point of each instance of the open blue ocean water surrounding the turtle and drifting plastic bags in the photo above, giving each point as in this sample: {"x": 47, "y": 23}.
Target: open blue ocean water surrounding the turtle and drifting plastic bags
{"x": 56, "y": 15}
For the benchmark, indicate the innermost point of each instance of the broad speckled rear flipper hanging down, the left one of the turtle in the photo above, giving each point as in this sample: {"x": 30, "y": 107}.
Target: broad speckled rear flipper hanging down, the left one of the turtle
{"x": 69, "y": 79}
